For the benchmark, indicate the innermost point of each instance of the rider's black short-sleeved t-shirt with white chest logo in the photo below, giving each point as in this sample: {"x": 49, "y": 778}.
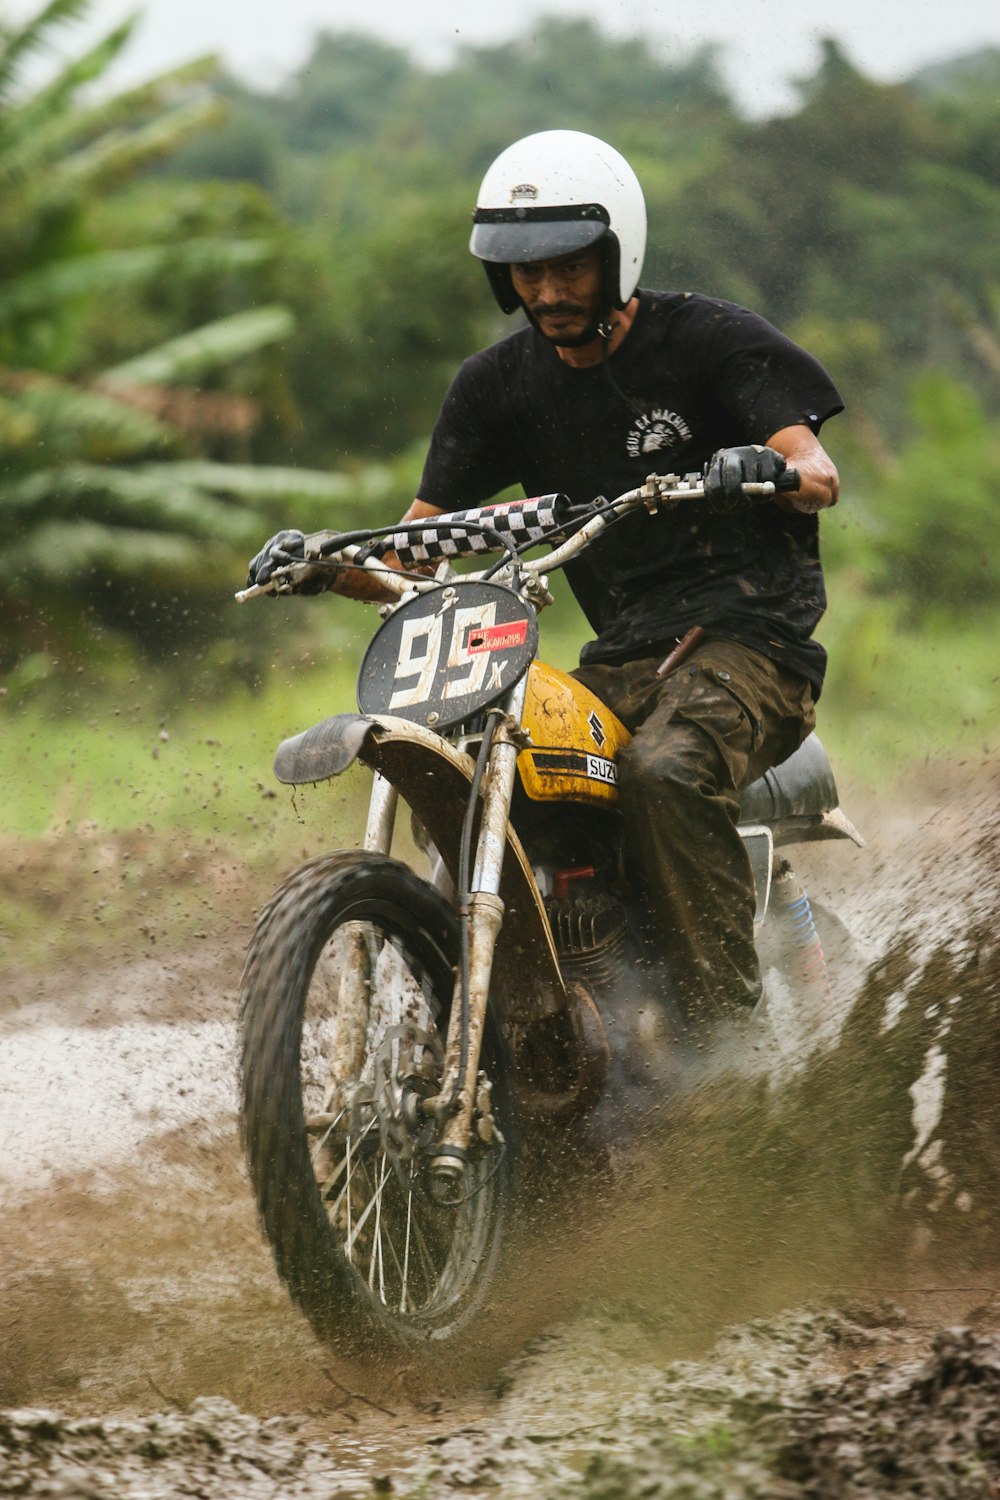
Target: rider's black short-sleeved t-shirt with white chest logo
{"x": 698, "y": 374}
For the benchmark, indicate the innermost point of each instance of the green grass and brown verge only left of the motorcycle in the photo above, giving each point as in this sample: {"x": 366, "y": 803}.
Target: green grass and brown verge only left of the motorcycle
{"x": 142, "y": 811}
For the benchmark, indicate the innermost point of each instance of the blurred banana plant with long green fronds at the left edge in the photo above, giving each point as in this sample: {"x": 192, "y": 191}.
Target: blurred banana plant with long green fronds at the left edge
{"x": 115, "y": 517}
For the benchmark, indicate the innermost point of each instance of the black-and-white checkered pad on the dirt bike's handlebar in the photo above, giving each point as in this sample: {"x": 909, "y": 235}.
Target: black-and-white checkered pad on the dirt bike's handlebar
{"x": 457, "y": 533}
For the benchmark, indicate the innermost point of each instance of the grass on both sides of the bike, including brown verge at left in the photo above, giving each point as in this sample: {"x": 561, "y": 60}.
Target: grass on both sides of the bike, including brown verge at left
{"x": 148, "y": 811}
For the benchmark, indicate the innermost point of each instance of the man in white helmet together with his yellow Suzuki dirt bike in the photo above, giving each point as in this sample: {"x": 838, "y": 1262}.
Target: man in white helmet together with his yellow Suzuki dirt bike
{"x": 597, "y": 835}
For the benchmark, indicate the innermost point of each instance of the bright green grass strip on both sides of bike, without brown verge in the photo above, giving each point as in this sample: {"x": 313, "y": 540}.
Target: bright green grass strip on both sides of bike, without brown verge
{"x": 137, "y": 757}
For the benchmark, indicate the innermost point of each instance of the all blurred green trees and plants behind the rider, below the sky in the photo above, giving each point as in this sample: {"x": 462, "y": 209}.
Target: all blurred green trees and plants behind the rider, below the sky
{"x": 224, "y": 311}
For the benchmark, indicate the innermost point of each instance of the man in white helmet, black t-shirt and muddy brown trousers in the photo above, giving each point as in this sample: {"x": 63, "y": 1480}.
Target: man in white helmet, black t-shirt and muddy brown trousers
{"x": 704, "y": 620}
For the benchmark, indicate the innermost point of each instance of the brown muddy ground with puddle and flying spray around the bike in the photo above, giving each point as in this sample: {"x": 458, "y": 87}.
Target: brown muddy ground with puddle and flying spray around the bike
{"x": 788, "y": 1286}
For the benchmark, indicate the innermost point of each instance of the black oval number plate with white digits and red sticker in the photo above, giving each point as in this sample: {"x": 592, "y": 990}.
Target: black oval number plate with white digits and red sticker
{"x": 448, "y": 655}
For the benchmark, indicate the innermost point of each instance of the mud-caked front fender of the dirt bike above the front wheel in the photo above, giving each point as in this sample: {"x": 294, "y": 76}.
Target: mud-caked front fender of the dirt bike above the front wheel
{"x": 434, "y": 779}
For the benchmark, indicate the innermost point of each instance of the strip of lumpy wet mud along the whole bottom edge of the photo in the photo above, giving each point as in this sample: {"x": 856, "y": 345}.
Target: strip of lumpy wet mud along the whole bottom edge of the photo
{"x": 591, "y": 1412}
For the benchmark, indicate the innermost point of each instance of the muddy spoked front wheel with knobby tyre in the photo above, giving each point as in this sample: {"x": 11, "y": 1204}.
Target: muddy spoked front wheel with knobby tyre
{"x": 346, "y": 1003}
